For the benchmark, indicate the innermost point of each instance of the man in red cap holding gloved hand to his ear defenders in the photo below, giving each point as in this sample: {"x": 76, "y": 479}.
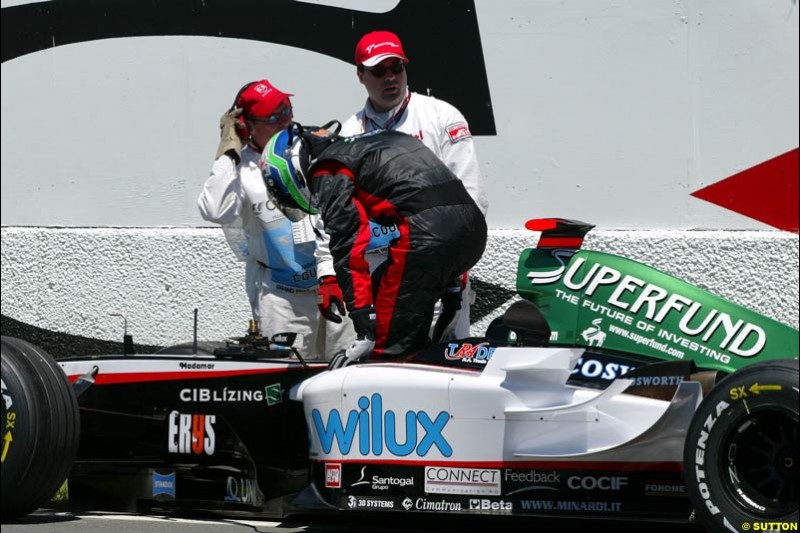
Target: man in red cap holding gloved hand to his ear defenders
{"x": 280, "y": 268}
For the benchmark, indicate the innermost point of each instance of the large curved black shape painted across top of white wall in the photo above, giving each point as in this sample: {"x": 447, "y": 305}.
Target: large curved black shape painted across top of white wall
{"x": 441, "y": 38}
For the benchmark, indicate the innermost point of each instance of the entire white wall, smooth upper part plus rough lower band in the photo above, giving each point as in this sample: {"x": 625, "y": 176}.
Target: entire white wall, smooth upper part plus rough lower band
{"x": 608, "y": 111}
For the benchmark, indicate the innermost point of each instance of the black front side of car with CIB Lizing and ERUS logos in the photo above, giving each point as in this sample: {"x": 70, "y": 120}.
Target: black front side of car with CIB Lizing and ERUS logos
{"x": 193, "y": 432}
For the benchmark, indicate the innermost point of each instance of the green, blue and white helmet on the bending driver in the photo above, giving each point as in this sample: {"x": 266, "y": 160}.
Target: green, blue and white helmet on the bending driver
{"x": 283, "y": 166}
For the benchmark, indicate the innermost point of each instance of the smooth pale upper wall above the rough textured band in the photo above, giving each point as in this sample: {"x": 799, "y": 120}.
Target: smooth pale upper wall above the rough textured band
{"x": 601, "y": 107}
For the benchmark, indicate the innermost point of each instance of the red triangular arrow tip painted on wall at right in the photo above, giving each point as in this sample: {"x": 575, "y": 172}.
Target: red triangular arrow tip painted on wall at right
{"x": 766, "y": 192}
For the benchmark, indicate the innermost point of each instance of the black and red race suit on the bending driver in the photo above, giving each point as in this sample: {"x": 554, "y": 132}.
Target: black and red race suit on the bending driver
{"x": 392, "y": 178}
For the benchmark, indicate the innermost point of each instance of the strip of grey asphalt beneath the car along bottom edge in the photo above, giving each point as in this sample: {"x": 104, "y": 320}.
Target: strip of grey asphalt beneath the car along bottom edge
{"x": 48, "y": 521}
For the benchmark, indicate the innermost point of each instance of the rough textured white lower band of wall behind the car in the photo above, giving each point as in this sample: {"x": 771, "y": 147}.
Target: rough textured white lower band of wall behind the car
{"x": 71, "y": 280}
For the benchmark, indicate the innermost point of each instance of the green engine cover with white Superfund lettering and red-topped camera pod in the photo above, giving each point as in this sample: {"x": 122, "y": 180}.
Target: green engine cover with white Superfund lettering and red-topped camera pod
{"x": 600, "y": 300}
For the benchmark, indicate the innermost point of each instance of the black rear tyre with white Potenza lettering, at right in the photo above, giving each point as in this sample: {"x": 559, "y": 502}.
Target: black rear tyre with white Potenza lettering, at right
{"x": 741, "y": 452}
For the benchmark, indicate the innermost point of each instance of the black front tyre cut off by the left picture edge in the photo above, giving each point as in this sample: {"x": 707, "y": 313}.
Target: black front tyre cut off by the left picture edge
{"x": 41, "y": 427}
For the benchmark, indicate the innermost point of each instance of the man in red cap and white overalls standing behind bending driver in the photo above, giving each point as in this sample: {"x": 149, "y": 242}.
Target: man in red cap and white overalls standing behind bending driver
{"x": 381, "y": 67}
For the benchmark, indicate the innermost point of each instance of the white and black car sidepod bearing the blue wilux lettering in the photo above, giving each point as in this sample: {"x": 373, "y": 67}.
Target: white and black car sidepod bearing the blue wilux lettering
{"x": 510, "y": 439}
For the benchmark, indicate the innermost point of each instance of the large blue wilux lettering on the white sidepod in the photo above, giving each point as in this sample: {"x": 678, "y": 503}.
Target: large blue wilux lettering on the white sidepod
{"x": 378, "y": 430}
